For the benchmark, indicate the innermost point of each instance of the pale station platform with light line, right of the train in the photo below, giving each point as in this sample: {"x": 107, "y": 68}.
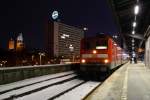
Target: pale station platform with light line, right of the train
{"x": 129, "y": 82}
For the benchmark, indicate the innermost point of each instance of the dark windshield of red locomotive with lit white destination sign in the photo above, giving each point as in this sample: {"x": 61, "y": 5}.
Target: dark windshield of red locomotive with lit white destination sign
{"x": 91, "y": 44}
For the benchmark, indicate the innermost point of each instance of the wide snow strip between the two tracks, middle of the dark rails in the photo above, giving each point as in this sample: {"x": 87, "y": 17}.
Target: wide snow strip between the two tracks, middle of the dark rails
{"x": 51, "y": 91}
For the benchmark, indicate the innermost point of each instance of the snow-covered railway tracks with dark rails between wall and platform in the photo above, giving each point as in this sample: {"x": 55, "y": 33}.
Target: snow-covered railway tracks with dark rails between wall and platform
{"x": 58, "y": 86}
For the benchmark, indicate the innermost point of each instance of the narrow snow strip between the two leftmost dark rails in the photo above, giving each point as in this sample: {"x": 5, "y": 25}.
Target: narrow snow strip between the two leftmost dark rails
{"x": 33, "y": 87}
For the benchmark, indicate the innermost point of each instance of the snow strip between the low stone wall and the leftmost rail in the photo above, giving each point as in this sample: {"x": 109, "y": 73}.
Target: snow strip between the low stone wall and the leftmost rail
{"x": 31, "y": 81}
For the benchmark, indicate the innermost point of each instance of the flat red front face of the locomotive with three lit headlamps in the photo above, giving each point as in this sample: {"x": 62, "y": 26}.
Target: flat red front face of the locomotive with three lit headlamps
{"x": 94, "y": 54}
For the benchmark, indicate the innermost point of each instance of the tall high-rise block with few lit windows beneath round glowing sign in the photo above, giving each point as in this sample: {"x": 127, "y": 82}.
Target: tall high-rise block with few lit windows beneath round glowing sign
{"x": 63, "y": 40}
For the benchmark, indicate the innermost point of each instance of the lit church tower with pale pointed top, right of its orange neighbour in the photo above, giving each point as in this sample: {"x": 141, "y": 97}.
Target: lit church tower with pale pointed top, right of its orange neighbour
{"x": 19, "y": 42}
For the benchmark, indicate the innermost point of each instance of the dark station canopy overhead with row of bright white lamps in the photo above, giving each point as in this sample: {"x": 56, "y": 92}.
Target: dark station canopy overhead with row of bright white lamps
{"x": 125, "y": 16}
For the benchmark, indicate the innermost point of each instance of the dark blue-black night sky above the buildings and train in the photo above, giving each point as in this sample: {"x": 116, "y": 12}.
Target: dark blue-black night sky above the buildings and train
{"x": 30, "y": 17}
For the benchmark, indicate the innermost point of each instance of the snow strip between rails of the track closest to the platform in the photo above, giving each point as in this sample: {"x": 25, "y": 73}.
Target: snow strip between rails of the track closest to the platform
{"x": 80, "y": 92}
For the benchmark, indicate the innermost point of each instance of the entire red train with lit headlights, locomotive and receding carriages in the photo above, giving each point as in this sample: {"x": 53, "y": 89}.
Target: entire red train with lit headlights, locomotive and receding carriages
{"x": 101, "y": 53}
